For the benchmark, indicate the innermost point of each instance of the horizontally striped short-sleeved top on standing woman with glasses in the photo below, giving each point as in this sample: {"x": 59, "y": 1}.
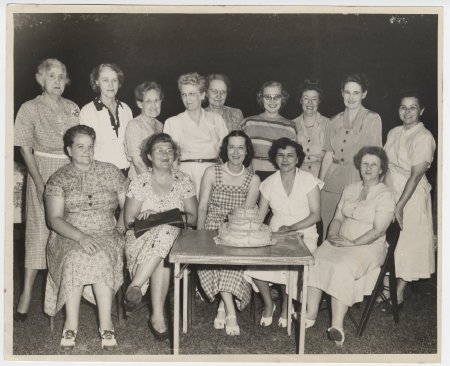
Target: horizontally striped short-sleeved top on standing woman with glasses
{"x": 263, "y": 132}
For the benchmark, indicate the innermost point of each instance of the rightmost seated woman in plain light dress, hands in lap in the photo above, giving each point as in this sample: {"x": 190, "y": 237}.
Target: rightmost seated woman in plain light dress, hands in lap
{"x": 347, "y": 263}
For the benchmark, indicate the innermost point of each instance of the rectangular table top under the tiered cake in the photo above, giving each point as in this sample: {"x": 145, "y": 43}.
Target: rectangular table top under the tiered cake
{"x": 198, "y": 247}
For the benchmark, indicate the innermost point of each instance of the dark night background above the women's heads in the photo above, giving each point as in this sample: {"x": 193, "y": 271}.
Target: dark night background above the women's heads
{"x": 395, "y": 51}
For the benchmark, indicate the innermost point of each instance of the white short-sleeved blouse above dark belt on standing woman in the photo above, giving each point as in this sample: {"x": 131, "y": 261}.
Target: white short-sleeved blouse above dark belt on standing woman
{"x": 197, "y": 141}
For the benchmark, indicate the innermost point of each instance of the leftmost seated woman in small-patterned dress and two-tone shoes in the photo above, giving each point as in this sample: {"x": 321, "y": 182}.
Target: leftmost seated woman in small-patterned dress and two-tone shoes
{"x": 84, "y": 250}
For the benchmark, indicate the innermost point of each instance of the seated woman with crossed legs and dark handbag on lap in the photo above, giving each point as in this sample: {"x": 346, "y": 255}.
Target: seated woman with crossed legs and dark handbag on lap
{"x": 159, "y": 189}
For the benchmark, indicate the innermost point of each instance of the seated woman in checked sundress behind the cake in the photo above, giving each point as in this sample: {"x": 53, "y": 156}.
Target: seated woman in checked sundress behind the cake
{"x": 224, "y": 187}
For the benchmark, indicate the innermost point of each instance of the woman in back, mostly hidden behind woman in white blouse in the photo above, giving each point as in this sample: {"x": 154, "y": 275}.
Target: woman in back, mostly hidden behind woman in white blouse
{"x": 218, "y": 87}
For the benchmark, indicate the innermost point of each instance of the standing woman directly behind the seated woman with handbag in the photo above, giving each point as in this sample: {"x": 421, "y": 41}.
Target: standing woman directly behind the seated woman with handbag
{"x": 149, "y": 96}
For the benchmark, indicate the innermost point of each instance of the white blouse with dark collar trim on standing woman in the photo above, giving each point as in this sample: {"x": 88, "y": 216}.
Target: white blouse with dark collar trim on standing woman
{"x": 109, "y": 146}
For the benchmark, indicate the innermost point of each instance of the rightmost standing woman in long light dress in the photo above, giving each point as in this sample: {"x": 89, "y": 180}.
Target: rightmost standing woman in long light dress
{"x": 410, "y": 149}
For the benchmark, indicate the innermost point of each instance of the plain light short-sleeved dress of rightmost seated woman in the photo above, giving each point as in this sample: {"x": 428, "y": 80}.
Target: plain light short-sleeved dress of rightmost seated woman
{"x": 350, "y": 273}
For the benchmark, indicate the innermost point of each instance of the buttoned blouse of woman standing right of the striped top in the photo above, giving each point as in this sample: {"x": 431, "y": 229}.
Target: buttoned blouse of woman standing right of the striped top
{"x": 312, "y": 142}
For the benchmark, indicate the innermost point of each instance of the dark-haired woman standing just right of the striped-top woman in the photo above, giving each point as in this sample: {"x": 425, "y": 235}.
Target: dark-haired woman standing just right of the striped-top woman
{"x": 311, "y": 126}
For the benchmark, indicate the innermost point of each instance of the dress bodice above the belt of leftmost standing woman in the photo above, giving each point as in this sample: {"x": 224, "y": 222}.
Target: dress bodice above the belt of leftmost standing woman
{"x": 38, "y": 126}
